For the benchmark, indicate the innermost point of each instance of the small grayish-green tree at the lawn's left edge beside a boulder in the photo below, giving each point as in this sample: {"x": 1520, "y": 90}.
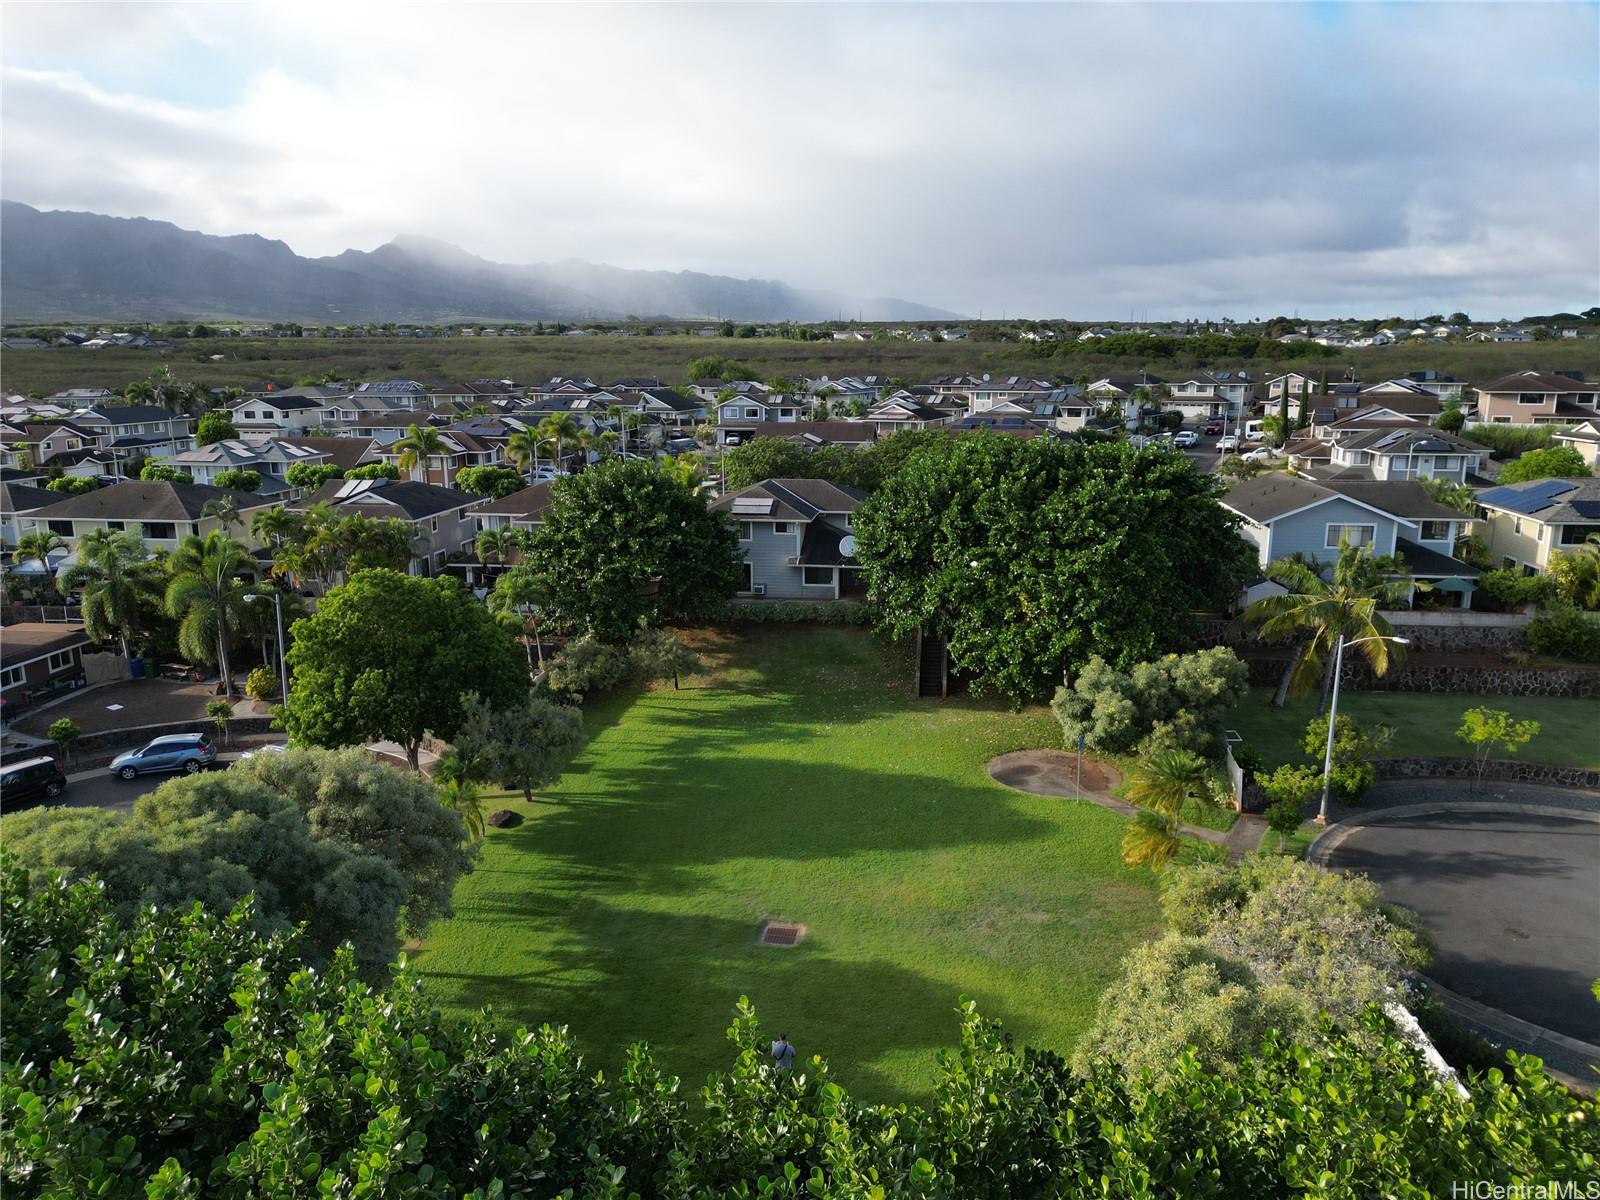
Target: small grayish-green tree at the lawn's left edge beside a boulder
{"x": 522, "y": 746}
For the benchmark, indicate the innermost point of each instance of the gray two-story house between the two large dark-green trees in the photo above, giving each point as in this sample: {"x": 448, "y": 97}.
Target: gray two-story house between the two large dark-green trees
{"x": 796, "y": 538}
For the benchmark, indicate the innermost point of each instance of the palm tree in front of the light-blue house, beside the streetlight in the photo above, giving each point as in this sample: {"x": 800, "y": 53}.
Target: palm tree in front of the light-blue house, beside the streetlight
{"x": 1316, "y": 612}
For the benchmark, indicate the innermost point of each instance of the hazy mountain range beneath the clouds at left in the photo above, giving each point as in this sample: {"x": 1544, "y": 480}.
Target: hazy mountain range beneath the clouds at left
{"x": 82, "y": 266}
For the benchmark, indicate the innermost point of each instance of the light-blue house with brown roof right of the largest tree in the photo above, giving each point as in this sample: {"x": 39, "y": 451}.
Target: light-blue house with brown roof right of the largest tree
{"x": 1287, "y": 514}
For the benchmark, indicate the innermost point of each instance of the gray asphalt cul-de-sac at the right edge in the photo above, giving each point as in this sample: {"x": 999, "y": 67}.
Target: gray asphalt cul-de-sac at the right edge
{"x": 1513, "y": 902}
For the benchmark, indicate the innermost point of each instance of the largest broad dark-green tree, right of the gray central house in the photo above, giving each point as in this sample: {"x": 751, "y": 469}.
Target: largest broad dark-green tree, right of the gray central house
{"x": 1031, "y": 556}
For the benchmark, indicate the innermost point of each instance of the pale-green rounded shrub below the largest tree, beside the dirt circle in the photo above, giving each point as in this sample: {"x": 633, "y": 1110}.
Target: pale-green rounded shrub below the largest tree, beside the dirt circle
{"x": 1175, "y": 703}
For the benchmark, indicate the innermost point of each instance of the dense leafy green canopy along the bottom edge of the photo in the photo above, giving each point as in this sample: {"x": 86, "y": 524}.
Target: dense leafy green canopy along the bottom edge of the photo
{"x": 180, "y": 1055}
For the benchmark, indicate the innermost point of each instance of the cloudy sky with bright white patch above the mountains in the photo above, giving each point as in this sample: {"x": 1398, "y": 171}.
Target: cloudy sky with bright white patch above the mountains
{"x": 1092, "y": 162}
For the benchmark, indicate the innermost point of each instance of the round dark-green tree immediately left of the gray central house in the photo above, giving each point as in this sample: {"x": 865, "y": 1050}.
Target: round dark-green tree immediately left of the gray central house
{"x": 625, "y": 545}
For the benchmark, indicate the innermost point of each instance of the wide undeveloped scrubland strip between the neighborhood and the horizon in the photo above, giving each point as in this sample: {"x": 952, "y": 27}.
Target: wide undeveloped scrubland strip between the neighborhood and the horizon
{"x": 604, "y": 358}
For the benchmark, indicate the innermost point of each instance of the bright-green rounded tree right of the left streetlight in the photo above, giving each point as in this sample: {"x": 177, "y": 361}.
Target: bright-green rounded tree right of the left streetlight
{"x": 390, "y": 655}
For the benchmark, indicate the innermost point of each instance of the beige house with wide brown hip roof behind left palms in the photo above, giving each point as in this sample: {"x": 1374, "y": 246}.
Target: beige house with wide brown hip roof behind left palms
{"x": 164, "y": 513}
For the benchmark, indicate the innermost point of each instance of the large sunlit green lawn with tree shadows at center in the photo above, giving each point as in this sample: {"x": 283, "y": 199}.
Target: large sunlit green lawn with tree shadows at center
{"x": 796, "y": 782}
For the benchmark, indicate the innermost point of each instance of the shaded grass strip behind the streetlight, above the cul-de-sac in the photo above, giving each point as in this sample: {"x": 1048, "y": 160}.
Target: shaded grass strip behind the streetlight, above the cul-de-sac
{"x": 1426, "y": 724}
